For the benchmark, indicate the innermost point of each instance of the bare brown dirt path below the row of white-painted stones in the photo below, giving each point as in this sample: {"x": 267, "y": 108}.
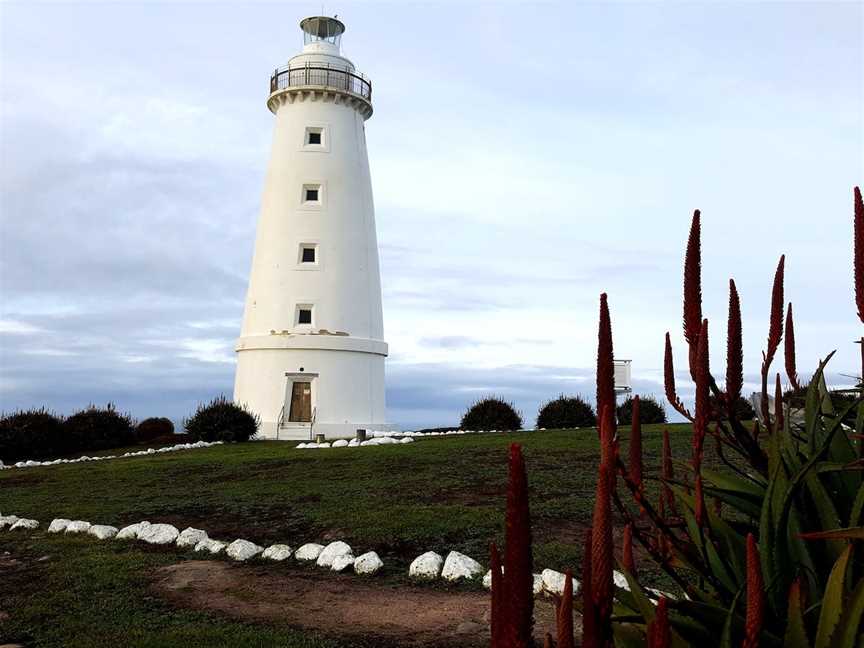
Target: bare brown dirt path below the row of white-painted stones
{"x": 338, "y": 607}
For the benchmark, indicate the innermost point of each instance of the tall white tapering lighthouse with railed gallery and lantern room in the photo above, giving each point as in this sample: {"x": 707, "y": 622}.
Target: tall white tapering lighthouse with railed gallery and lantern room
{"x": 310, "y": 357}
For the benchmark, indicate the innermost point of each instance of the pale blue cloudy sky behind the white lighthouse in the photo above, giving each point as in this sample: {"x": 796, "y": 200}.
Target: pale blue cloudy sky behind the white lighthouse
{"x": 525, "y": 158}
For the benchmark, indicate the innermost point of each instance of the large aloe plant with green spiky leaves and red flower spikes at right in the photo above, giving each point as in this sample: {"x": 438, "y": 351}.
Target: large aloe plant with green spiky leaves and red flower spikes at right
{"x": 776, "y": 560}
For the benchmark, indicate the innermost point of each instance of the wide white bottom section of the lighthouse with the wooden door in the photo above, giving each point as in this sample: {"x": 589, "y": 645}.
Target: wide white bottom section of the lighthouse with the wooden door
{"x": 301, "y": 392}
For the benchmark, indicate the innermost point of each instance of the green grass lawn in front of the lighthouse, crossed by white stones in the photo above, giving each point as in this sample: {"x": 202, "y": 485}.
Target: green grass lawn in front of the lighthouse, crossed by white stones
{"x": 441, "y": 494}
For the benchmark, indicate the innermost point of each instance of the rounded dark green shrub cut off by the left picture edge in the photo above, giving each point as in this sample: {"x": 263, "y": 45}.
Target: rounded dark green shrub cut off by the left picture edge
{"x": 31, "y": 434}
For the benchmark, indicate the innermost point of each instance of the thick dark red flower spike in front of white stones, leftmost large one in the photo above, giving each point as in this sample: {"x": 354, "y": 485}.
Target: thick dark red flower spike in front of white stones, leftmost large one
{"x": 518, "y": 578}
